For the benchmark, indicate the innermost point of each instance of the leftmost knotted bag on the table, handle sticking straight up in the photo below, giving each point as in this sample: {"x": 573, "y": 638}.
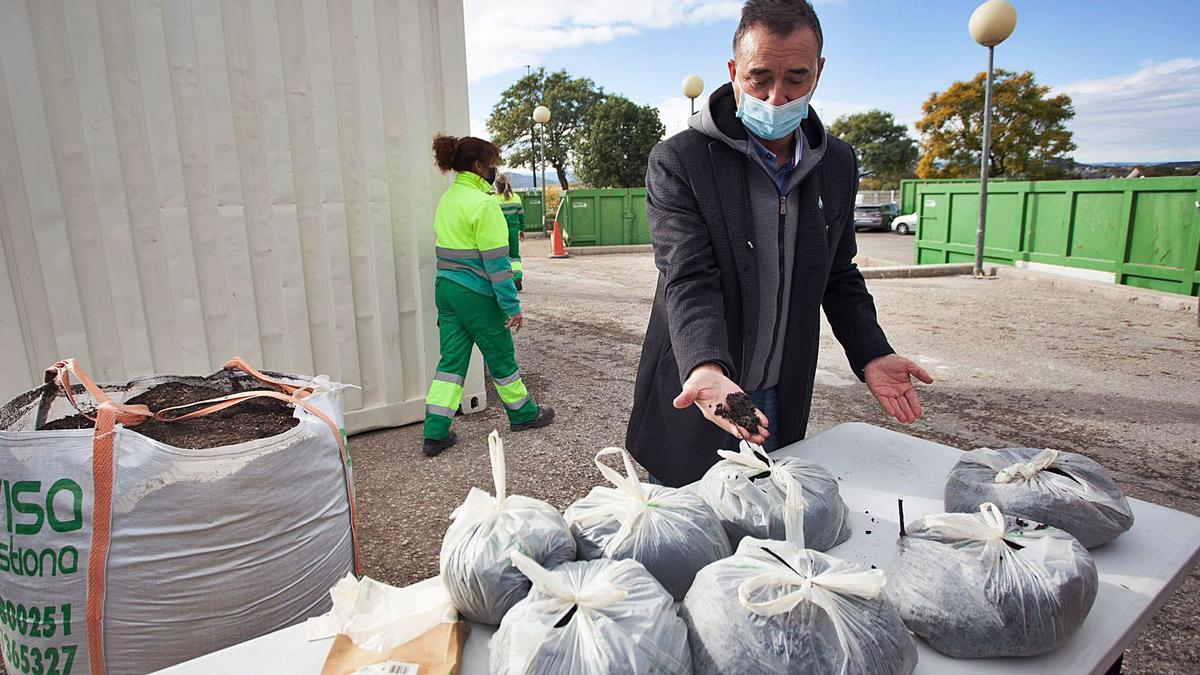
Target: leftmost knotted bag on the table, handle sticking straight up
{"x": 477, "y": 566}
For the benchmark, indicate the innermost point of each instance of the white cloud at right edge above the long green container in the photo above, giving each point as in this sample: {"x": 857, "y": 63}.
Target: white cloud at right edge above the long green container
{"x": 1153, "y": 115}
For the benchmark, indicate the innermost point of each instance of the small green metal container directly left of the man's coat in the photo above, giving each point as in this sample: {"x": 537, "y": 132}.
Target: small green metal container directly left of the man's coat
{"x": 604, "y": 218}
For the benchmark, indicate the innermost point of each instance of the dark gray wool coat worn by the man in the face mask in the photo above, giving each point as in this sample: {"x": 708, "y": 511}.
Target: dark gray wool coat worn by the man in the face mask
{"x": 707, "y": 302}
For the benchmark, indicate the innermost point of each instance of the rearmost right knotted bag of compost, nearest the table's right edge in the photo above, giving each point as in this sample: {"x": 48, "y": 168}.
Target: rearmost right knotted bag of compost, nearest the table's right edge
{"x": 1065, "y": 491}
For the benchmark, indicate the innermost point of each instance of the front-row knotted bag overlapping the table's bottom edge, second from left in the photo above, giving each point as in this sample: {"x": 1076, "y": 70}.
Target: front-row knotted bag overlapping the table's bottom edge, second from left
{"x": 778, "y": 608}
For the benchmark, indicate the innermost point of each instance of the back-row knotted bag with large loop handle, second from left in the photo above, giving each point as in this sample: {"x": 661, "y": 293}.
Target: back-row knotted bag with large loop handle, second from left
{"x": 673, "y": 533}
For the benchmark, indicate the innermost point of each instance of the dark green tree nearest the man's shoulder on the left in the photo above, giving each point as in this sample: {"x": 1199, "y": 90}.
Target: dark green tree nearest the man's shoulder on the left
{"x": 617, "y": 139}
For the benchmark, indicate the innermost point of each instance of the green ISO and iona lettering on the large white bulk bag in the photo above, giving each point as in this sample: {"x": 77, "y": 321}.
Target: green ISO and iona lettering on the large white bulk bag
{"x": 28, "y": 511}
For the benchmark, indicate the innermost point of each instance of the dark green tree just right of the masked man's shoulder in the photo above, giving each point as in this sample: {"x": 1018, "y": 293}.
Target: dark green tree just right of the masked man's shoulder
{"x": 886, "y": 152}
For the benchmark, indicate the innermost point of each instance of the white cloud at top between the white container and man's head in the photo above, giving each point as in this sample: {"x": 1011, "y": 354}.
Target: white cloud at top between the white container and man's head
{"x": 507, "y": 35}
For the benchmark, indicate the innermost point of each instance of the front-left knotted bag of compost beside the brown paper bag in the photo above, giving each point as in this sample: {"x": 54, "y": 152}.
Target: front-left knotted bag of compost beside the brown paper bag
{"x": 591, "y": 618}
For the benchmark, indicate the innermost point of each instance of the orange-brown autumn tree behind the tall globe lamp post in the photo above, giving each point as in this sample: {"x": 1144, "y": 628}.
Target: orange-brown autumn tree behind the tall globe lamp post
{"x": 1029, "y": 130}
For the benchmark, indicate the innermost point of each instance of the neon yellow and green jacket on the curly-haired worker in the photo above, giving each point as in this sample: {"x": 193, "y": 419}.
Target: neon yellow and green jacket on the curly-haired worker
{"x": 473, "y": 242}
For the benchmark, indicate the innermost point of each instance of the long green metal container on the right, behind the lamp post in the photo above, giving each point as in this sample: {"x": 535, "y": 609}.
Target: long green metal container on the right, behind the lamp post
{"x": 1139, "y": 232}
